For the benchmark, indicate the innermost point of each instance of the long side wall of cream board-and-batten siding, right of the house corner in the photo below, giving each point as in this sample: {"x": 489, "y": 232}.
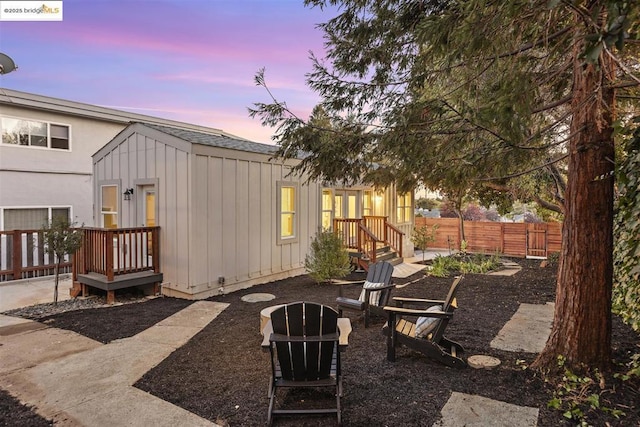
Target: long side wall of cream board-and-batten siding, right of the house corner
{"x": 234, "y": 224}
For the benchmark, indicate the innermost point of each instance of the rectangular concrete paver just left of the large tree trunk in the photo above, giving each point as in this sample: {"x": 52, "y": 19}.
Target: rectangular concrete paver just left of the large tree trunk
{"x": 528, "y": 329}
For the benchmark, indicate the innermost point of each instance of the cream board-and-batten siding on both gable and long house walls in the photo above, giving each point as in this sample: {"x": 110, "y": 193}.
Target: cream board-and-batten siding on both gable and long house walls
{"x": 216, "y": 209}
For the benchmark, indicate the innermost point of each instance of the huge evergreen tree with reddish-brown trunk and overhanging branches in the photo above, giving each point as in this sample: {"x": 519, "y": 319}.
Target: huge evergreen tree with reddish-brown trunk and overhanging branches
{"x": 469, "y": 97}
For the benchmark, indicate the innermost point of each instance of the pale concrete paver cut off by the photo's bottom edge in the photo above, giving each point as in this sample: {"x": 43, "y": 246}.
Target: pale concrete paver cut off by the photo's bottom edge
{"x": 476, "y": 411}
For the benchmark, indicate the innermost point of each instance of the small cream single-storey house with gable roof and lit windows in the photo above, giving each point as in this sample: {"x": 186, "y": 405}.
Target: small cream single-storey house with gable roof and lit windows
{"x": 230, "y": 216}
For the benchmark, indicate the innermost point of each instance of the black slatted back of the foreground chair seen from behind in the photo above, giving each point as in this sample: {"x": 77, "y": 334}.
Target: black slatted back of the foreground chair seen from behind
{"x": 305, "y": 360}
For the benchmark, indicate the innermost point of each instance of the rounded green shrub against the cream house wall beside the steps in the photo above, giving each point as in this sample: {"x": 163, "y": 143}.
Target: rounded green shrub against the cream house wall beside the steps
{"x": 327, "y": 258}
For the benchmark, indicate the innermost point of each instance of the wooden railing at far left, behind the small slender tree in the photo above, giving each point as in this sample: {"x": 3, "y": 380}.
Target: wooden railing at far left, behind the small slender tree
{"x": 23, "y": 256}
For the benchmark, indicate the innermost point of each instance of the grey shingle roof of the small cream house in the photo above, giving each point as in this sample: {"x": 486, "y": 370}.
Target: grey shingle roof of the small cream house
{"x": 215, "y": 139}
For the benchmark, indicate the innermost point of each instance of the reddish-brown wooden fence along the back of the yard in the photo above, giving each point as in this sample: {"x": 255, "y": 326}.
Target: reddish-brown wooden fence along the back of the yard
{"x": 519, "y": 239}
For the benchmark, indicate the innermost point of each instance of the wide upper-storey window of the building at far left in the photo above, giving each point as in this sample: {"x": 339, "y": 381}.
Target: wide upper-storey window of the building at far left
{"x": 33, "y": 133}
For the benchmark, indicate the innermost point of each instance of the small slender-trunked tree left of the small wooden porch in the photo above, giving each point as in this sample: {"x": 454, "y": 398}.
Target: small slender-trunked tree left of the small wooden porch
{"x": 60, "y": 239}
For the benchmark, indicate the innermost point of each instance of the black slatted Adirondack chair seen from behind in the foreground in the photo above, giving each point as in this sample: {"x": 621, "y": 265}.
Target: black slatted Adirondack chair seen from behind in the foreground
{"x": 305, "y": 340}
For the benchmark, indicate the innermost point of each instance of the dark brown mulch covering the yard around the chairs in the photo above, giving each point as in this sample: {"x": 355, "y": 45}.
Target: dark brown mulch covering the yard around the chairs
{"x": 222, "y": 374}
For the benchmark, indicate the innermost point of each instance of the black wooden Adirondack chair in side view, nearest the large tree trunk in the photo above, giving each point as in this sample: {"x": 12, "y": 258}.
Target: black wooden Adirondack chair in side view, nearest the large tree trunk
{"x": 425, "y": 331}
